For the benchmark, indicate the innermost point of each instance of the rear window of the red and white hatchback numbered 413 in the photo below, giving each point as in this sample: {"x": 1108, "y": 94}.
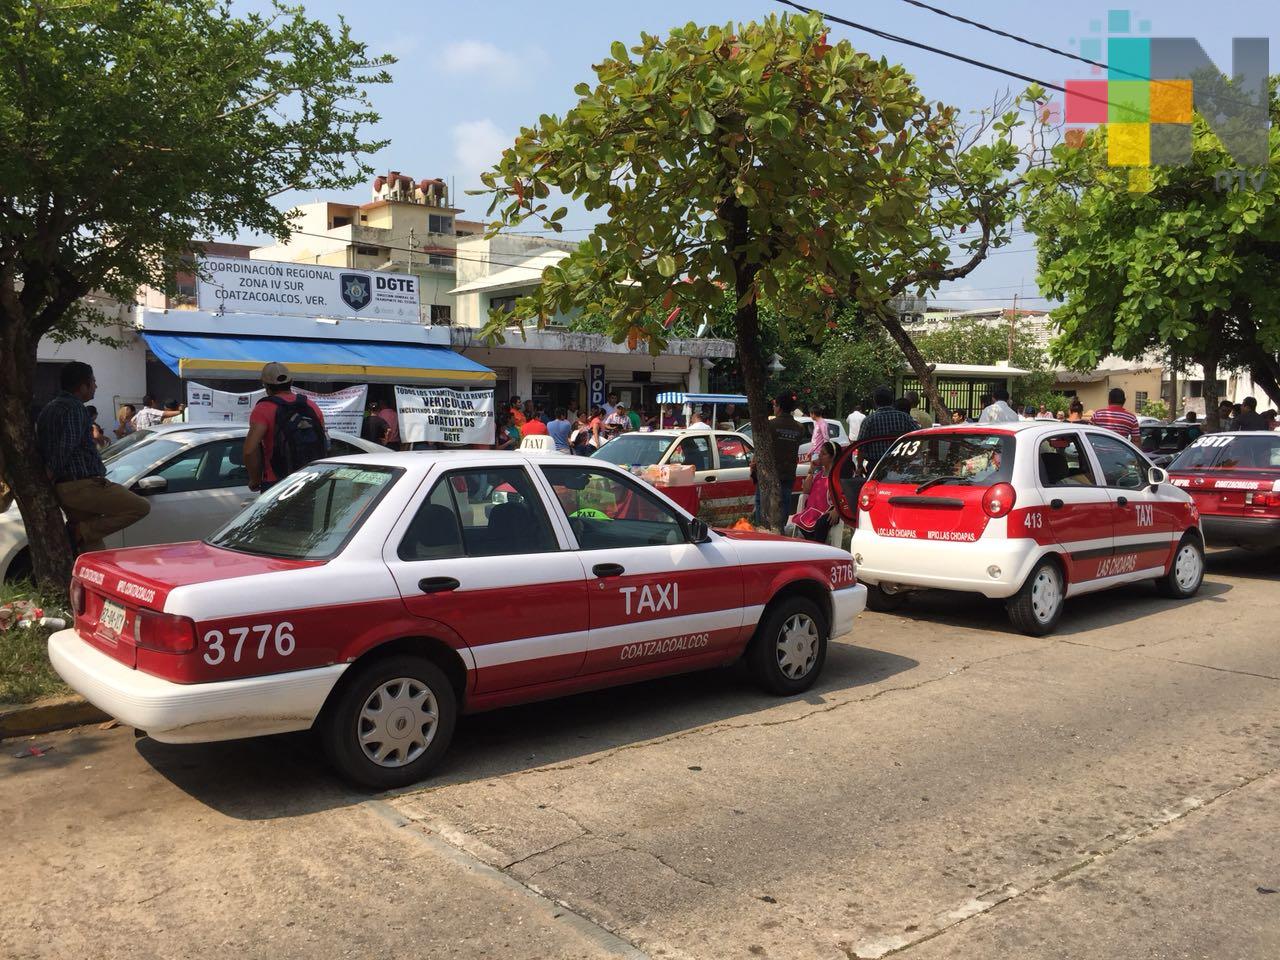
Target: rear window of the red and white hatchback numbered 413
{"x": 970, "y": 459}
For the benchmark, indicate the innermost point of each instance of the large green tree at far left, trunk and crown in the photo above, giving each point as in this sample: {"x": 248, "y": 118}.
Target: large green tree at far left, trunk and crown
{"x": 131, "y": 130}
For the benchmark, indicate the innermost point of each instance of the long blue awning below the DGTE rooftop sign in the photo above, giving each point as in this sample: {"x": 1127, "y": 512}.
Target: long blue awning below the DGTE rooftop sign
{"x": 195, "y": 356}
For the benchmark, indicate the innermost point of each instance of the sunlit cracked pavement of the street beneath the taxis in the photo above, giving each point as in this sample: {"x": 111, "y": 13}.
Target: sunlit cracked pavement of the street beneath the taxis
{"x": 950, "y": 790}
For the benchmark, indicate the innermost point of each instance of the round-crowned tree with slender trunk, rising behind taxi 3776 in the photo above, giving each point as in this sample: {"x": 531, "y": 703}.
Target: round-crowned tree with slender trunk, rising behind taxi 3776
{"x": 765, "y": 162}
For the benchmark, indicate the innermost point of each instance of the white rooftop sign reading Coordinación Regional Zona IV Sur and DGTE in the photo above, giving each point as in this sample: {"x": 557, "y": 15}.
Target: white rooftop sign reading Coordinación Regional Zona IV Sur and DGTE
{"x": 305, "y": 290}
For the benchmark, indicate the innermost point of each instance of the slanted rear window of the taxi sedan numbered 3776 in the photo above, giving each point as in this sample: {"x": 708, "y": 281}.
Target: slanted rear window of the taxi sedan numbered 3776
{"x": 310, "y": 515}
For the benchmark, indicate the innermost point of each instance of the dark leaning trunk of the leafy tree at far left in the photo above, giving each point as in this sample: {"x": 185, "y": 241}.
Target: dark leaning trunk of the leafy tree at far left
{"x": 24, "y": 468}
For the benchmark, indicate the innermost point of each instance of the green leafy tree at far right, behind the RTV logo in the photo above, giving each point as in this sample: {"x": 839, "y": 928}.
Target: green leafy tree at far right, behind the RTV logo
{"x": 1188, "y": 266}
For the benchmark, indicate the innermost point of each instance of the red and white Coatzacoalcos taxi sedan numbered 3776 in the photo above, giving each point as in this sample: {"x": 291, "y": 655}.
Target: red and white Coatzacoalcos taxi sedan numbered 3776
{"x": 377, "y": 597}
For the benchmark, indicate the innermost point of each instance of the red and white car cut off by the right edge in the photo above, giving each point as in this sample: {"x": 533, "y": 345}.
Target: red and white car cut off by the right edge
{"x": 1236, "y": 483}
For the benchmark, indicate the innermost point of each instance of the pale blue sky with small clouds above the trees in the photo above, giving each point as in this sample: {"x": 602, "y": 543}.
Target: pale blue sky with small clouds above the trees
{"x": 470, "y": 75}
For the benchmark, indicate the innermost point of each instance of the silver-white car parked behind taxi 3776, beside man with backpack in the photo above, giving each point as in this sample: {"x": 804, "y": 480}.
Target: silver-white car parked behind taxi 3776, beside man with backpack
{"x": 193, "y": 474}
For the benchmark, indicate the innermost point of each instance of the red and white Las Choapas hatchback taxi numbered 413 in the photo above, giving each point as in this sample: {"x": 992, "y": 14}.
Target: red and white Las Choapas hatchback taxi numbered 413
{"x": 1034, "y": 513}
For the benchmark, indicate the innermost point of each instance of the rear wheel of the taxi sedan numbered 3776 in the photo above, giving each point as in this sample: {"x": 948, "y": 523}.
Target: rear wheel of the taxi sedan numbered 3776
{"x": 391, "y": 723}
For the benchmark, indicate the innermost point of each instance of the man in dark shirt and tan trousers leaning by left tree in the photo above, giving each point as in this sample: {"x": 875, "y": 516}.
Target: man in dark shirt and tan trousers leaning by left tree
{"x": 95, "y": 508}
